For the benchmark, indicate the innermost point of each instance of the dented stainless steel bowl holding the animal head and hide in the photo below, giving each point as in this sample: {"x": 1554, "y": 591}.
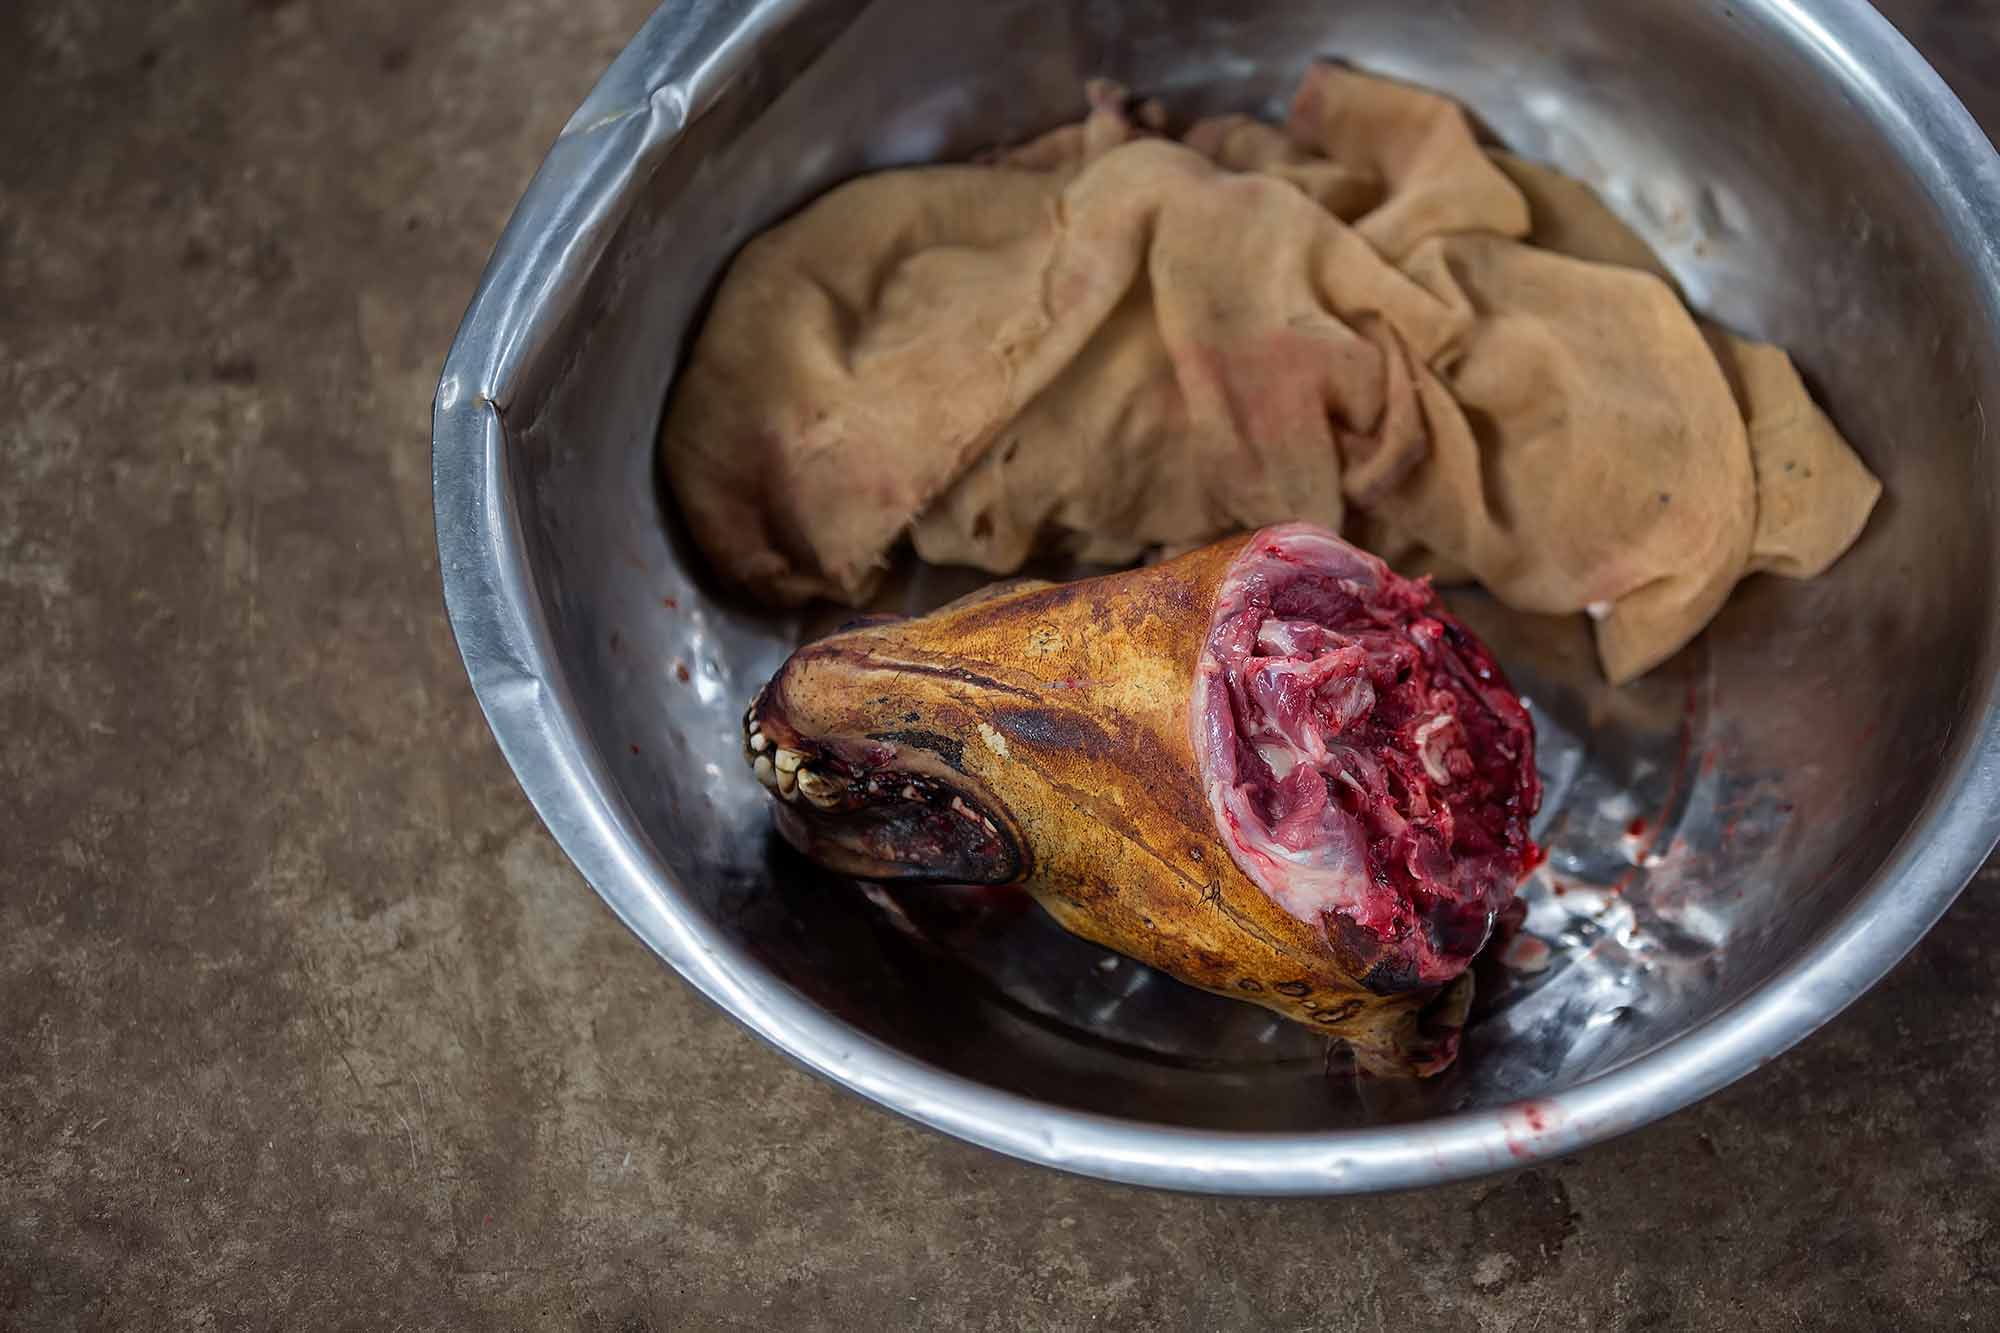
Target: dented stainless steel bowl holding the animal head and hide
{"x": 1741, "y": 844}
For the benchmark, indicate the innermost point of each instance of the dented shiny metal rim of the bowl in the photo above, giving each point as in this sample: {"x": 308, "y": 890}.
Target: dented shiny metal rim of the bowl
{"x": 673, "y": 69}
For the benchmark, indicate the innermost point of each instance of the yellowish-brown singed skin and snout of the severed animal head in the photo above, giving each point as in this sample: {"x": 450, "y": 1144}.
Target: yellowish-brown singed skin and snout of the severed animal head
{"x": 1041, "y": 736}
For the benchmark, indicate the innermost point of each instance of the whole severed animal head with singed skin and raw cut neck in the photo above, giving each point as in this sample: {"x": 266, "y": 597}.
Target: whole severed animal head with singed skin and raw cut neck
{"x": 1271, "y": 770}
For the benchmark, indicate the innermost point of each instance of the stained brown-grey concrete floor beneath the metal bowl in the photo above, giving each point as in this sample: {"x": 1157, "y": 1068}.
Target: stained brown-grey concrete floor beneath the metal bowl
{"x": 303, "y": 1018}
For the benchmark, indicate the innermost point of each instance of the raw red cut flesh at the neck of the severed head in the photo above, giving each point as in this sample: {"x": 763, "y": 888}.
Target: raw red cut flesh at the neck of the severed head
{"x": 1367, "y": 762}
